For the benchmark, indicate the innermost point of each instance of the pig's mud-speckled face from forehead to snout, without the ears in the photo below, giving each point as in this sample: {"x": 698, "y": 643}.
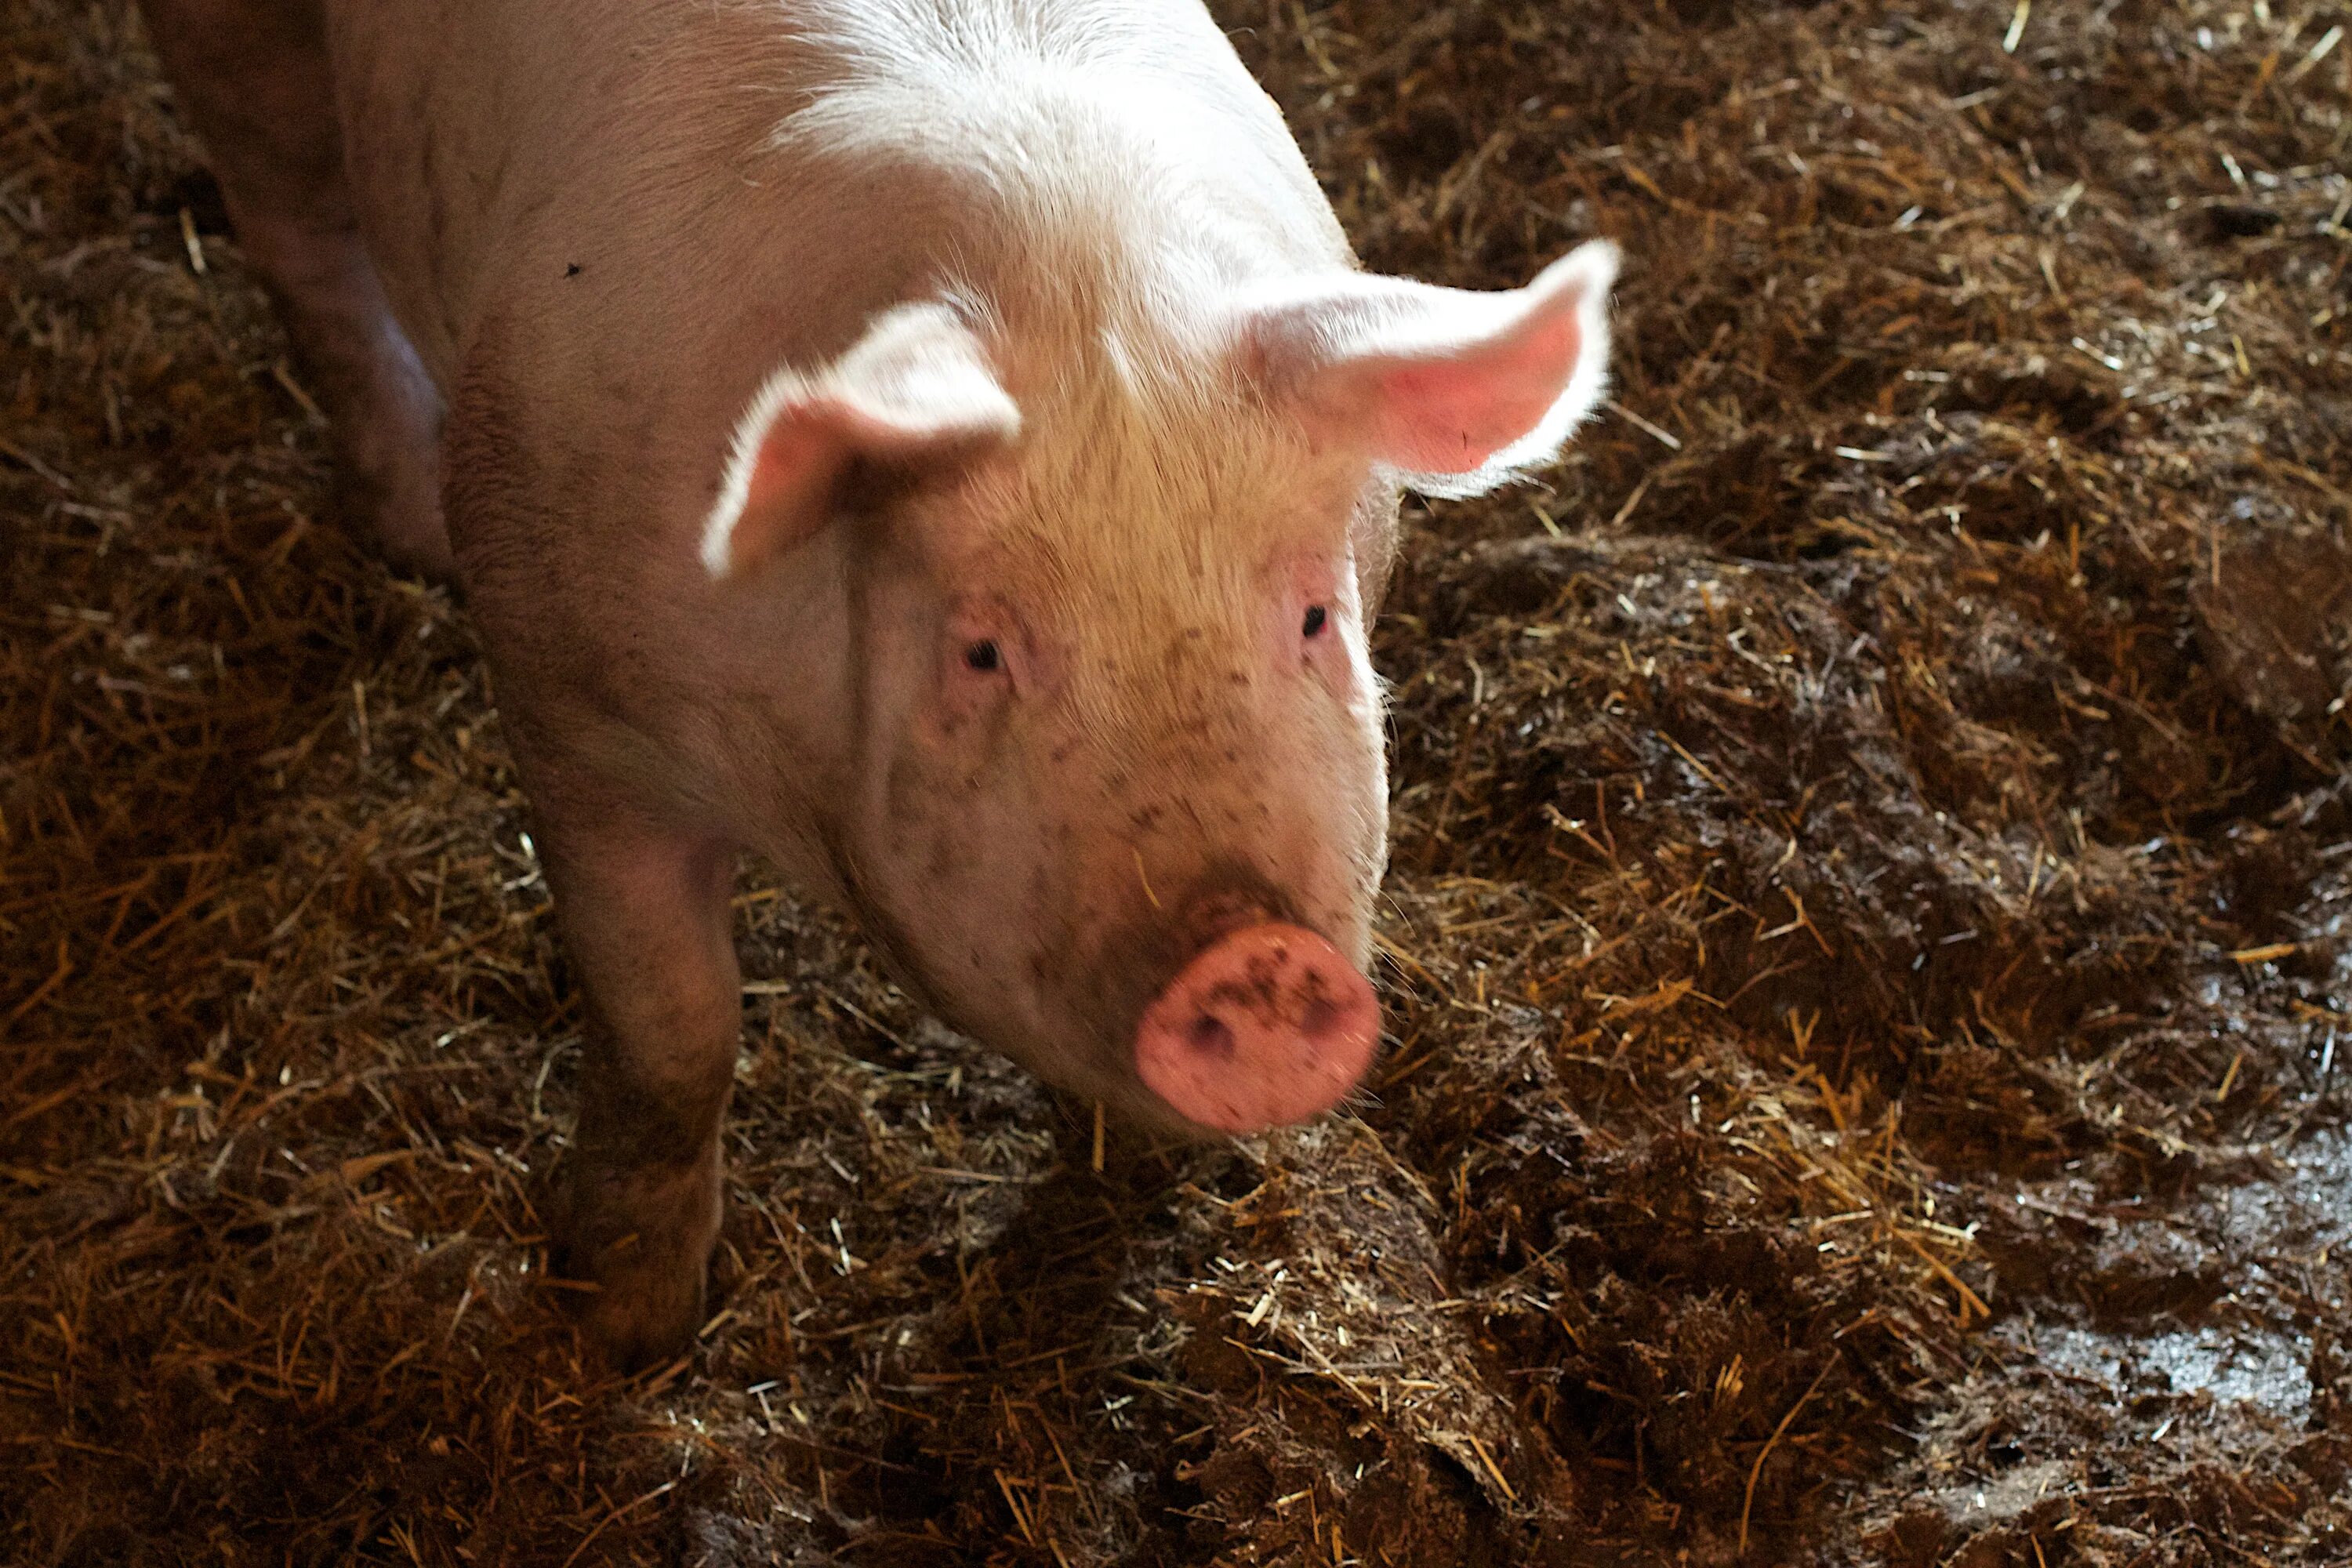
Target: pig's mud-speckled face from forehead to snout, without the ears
{"x": 1116, "y": 709}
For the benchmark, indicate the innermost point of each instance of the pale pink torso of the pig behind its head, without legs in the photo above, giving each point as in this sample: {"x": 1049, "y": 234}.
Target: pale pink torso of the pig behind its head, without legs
{"x": 603, "y": 250}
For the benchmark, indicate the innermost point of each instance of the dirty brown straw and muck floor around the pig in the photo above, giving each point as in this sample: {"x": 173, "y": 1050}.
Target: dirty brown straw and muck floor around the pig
{"x": 1866, "y": 946}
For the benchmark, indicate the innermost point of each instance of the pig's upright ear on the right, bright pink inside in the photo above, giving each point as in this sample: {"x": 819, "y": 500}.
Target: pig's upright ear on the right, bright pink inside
{"x": 1450, "y": 389}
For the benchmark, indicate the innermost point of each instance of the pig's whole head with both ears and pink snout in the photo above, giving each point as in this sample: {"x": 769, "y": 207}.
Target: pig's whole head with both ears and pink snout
{"x": 1111, "y": 784}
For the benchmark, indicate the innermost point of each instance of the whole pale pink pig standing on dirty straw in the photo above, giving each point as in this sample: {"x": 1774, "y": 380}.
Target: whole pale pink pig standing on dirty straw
{"x": 944, "y": 448}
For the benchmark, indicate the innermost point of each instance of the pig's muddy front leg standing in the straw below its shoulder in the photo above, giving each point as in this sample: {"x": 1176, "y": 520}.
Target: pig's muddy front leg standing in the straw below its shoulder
{"x": 646, "y": 913}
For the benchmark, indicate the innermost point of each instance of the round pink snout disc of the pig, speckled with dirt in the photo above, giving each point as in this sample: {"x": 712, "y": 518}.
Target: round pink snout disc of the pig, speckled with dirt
{"x": 1264, "y": 1028}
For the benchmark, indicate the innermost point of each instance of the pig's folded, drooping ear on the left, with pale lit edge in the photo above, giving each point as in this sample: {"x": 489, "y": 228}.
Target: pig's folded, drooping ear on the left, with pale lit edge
{"x": 916, "y": 391}
